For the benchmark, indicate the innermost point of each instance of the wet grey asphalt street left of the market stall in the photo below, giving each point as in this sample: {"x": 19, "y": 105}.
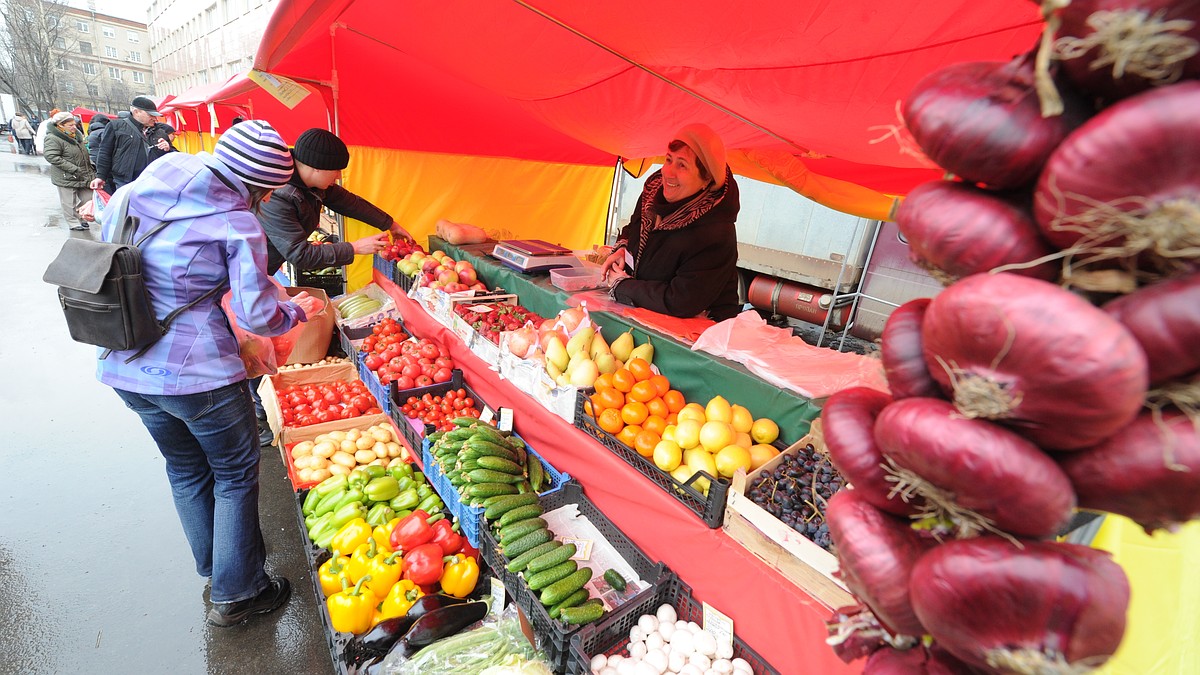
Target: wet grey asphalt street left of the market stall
{"x": 95, "y": 575}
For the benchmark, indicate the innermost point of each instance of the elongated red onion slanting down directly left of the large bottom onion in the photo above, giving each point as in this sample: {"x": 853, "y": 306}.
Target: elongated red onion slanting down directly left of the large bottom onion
{"x": 875, "y": 555}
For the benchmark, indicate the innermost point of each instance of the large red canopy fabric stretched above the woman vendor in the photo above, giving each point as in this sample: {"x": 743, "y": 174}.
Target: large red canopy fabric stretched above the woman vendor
{"x": 808, "y": 93}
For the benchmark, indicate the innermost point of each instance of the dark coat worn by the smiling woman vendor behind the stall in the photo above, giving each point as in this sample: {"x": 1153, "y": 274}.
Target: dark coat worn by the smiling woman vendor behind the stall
{"x": 688, "y": 271}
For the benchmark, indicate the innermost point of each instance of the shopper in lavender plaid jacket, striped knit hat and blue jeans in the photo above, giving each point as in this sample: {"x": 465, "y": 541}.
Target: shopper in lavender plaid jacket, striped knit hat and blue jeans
{"x": 190, "y": 389}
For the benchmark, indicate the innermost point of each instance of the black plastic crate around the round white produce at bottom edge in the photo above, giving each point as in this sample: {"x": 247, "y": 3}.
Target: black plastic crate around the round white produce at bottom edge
{"x": 611, "y": 634}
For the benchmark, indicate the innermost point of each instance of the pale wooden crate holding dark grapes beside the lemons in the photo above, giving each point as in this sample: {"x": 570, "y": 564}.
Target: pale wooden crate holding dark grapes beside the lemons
{"x": 770, "y": 540}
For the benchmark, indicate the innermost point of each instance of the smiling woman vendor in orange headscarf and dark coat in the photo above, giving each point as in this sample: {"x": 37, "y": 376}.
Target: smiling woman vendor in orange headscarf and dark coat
{"x": 679, "y": 254}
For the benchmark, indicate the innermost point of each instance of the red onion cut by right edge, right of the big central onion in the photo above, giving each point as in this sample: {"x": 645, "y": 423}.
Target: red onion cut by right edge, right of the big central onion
{"x": 1166, "y": 321}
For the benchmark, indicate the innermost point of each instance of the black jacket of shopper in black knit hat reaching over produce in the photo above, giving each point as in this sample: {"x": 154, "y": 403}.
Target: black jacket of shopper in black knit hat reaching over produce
{"x": 293, "y": 213}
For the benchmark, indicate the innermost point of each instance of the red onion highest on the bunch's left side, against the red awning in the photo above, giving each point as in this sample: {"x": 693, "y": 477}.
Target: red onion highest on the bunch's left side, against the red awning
{"x": 983, "y": 122}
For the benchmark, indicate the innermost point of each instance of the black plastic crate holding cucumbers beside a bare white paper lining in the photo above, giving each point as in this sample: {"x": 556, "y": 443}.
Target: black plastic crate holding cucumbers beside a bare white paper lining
{"x": 554, "y": 635}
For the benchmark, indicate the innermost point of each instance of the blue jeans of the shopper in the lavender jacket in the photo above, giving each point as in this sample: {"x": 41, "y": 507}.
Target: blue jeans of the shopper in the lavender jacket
{"x": 211, "y": 444}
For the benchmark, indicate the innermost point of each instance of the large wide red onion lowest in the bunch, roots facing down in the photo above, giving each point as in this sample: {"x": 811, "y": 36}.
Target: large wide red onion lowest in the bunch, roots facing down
{"x": 1031, "y": 608}
